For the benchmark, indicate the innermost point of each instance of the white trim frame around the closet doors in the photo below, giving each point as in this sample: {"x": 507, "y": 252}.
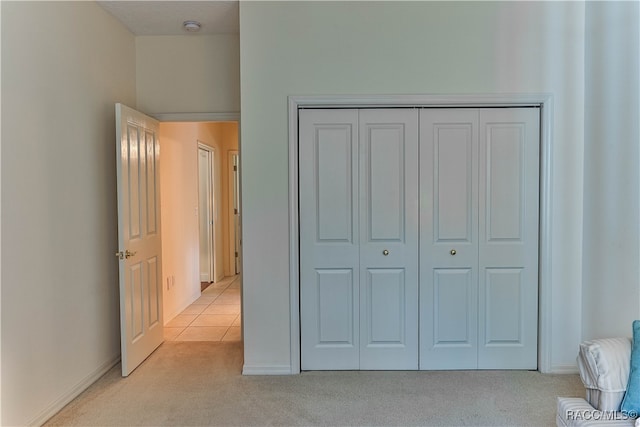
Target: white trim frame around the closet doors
{"x": 542, "y": 100}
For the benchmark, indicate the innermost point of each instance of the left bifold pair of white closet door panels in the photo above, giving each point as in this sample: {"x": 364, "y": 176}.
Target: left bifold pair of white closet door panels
{"x": 358, "y": 239}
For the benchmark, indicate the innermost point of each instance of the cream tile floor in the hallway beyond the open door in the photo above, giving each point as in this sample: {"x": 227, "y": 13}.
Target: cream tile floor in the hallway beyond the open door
{"x": 215, "y": 316}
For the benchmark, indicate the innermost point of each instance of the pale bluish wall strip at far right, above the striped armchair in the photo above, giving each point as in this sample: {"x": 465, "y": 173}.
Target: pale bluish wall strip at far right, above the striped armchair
{"x": 611, "y": 296}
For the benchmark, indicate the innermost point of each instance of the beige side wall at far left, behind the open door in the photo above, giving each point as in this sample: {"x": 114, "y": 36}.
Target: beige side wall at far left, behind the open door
{"x": 60, "y": 79}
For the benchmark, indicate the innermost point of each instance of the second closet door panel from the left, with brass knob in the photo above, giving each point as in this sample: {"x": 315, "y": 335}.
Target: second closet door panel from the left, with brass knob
{"x": 389, "y": 239}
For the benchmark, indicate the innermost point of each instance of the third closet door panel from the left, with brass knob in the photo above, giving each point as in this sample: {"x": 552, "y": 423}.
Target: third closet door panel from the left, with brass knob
{"x": 448, "y": 239}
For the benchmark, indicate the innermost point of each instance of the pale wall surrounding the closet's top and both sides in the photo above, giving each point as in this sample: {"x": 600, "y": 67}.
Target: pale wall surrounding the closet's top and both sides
{"x": 313, "y": 48}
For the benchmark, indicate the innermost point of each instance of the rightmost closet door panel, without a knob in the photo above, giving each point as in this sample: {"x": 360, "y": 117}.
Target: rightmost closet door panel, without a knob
{"x": 508, "y": 214}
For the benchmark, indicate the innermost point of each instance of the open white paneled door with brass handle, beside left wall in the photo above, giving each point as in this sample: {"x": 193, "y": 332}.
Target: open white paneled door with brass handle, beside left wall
{"x": 137, "y": 159}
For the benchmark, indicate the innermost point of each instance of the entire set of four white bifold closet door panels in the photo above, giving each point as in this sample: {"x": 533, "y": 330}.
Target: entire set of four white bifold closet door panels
{"x": 419, "y": 238}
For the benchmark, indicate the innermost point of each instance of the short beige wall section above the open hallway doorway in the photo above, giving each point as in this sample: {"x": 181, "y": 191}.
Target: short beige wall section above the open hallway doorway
{"x": 188, "y": 74}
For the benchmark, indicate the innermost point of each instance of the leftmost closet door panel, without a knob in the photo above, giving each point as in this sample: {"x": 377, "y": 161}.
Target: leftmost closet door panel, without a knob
{"x": 329, "y": 239}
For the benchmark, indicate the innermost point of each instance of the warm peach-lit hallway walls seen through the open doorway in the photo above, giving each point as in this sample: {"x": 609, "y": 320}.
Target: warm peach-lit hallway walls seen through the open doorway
{"x": 181, "y": 142}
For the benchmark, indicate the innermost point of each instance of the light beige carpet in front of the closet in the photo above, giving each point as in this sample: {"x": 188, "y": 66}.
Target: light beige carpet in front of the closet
{"x": 200, "y": 383}
